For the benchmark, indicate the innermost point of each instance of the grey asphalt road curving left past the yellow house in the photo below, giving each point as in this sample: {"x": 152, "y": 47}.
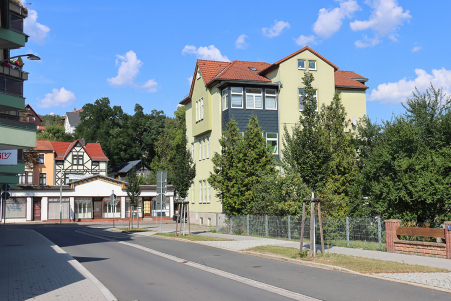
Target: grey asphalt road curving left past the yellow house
{"x": 133, "y": 274}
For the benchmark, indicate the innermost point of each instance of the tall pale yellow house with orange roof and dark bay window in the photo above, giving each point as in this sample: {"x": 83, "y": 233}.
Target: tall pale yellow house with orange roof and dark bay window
{"x": 222, "y": 91}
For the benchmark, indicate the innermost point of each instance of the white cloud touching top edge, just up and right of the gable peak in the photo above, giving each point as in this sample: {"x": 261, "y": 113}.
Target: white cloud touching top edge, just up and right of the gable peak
{"x": 330, "y": 21}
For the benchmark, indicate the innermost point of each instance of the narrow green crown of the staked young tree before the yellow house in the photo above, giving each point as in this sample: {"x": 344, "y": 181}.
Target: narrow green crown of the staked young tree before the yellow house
{"x": 306, "y": 150}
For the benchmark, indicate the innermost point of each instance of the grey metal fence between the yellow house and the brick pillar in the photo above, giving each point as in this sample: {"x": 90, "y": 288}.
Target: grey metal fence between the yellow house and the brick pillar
{"x": 344, "y": 231}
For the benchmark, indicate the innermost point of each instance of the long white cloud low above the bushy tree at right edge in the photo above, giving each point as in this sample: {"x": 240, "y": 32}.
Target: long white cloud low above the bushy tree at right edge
{"x": 391, "y": 93}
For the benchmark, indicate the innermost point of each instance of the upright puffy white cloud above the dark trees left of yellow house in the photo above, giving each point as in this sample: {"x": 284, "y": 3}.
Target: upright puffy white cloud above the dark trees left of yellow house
{"x": 129, "y": 66}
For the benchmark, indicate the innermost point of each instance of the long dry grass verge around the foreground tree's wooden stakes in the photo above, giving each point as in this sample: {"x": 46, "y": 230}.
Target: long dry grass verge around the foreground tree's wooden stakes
{"x": 354, "y": 263}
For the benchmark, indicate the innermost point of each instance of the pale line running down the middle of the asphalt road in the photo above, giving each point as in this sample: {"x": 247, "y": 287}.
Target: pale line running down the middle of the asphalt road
{"x": 247, "y": 281}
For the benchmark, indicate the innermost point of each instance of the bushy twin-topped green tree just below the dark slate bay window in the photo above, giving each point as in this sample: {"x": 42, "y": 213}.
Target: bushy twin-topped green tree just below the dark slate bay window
{"x": 241, "y": 167}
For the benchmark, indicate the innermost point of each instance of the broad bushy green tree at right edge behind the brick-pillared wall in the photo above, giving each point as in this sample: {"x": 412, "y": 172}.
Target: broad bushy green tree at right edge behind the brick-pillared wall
{"x": 407, "y": 172}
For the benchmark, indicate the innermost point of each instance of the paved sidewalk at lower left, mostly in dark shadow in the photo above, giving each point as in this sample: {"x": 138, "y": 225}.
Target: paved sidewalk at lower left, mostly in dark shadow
{"x": 32, "y": 267}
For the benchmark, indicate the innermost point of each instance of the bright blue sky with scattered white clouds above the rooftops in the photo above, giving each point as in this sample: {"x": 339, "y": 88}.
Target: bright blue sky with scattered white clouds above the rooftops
{"x": 145, "y": 51}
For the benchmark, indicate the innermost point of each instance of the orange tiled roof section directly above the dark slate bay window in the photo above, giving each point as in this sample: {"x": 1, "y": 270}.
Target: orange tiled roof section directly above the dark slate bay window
{"x": 239, "y": 70}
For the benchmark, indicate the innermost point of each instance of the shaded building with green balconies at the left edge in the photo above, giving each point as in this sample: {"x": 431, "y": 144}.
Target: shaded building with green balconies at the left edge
{"x": 16, "y": 133}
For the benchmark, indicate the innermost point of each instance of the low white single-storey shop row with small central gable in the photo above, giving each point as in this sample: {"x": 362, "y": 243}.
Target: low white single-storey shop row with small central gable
{"x": 84, "y": 200}
